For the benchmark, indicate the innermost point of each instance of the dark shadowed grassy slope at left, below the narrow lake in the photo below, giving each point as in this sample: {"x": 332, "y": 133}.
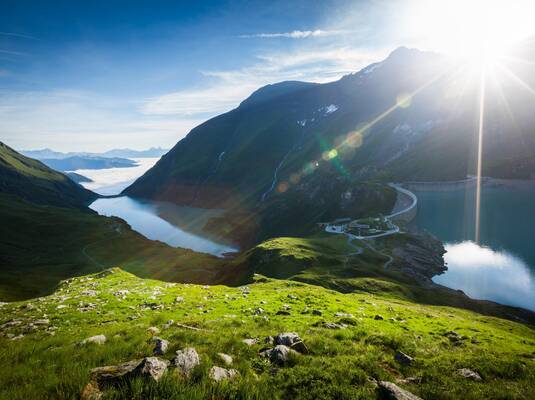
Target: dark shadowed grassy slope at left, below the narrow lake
{"x": 40, "y": 245}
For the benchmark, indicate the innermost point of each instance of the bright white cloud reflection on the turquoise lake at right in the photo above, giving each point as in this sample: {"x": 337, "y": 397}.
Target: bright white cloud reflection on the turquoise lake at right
{"x": 484, "y": 273}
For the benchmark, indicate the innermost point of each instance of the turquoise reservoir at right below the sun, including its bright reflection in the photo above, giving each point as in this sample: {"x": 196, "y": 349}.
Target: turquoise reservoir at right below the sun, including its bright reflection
{"x": 502, "y": 267}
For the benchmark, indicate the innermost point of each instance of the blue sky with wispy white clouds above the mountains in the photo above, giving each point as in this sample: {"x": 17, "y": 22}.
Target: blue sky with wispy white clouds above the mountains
{"x": 97, "y": 75}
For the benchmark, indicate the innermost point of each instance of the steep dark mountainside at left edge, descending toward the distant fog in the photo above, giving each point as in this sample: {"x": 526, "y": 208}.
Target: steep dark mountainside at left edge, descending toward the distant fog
{"x": 33, "y": 181}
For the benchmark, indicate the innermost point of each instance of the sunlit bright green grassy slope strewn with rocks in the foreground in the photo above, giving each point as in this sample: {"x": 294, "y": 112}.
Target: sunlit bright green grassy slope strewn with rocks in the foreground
{"x": 340, "y": 363}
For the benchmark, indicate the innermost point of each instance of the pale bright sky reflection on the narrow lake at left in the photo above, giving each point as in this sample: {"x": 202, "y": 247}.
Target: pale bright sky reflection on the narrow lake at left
{"x": 144, "y": 218}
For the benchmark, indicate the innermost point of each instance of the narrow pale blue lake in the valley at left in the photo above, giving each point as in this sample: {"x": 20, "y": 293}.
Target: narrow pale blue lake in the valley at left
{"x": 168, "y": 223}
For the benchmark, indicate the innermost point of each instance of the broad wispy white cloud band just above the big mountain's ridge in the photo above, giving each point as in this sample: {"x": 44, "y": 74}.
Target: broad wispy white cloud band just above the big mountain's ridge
{"x": 233, "y": 86}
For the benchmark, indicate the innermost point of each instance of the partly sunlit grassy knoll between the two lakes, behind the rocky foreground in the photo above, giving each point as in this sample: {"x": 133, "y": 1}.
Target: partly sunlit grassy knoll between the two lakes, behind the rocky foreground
{"x": 322, "y": 260}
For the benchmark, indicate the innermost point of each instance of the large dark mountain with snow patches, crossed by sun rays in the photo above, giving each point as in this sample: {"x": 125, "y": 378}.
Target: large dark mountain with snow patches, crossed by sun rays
{"x": 413, "y": 116}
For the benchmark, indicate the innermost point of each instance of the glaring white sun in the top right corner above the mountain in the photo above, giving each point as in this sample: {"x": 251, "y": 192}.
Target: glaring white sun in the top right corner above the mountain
{"x": 479, "y": 31}
